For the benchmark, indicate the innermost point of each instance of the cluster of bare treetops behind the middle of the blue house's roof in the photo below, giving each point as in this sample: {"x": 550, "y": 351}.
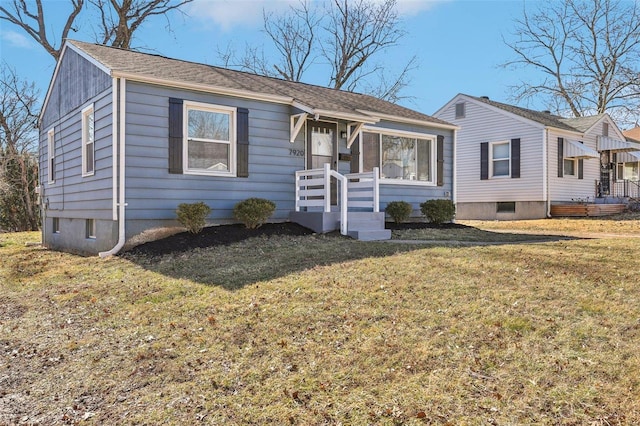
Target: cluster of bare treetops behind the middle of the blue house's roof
{"x": 348, "y": 36}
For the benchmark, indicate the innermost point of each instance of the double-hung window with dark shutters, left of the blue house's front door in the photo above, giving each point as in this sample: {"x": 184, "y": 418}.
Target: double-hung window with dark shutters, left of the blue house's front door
{"x": 210, "y": 134}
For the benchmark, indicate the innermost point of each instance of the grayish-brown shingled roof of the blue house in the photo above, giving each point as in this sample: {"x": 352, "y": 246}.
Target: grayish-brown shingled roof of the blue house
{"x": 159, "y": 67}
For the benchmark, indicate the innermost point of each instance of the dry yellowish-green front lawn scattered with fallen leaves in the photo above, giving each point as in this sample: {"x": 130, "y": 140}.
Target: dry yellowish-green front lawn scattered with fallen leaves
{"x": 325, "y": 330}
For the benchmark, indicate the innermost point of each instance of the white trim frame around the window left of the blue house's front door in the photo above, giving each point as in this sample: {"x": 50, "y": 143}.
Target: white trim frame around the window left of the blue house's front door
{"x": 233, "y": 143}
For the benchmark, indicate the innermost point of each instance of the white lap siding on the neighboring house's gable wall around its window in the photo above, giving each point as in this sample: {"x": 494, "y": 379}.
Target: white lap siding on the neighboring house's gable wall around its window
{"x": 484, "y": 124}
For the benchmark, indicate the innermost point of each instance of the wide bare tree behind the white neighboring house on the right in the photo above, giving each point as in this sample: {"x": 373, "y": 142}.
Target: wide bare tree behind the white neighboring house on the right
{"x": 588, "y": 52}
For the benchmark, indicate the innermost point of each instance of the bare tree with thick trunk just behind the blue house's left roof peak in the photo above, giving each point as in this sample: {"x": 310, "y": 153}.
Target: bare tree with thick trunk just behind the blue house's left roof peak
{"x": 119, "y": 19}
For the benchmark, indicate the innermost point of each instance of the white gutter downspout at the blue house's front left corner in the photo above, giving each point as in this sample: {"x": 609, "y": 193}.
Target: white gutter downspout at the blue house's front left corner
{"x": 121, "y": 137}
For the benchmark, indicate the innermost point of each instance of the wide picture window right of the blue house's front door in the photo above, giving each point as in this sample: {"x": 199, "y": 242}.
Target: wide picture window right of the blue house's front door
{"x": 401, "y": 157}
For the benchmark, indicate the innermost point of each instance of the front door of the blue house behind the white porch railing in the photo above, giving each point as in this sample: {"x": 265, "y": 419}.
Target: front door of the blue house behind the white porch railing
{"x": 321, "y": 149}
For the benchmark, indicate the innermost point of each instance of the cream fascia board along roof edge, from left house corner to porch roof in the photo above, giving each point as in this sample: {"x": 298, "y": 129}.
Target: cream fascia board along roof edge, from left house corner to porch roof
{"x": 287, "y": 100}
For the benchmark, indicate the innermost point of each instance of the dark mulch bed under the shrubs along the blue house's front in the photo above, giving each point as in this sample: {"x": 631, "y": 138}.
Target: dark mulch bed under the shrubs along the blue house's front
{"x": 228, "y": 234}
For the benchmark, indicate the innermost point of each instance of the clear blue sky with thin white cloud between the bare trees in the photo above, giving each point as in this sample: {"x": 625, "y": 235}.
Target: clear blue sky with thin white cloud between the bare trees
{"x": 458, "y": 43}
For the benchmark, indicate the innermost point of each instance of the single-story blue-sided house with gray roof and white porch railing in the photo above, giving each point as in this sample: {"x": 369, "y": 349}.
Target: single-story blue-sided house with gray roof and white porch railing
{"x": 125, "y": 137}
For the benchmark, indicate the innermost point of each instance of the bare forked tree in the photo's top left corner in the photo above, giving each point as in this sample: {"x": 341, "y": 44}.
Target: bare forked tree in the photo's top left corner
{"x": 33, "y": 22}
